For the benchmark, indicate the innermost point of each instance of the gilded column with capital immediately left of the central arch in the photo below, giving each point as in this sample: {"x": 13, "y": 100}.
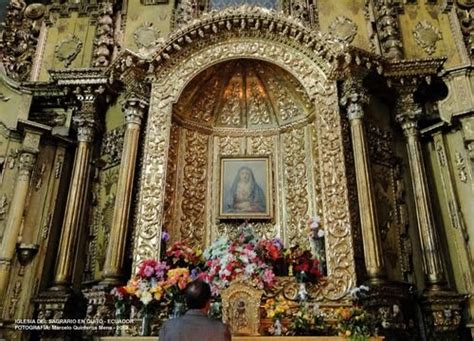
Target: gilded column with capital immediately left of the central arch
{"x": 134, "y": 110}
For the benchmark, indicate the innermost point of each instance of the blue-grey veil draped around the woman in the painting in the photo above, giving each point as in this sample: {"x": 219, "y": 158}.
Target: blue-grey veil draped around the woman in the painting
{"x": 257, "y": 196}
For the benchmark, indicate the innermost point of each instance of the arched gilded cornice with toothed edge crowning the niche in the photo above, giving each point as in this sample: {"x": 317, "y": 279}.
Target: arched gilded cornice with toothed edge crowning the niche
{"x": 334, "y": 57}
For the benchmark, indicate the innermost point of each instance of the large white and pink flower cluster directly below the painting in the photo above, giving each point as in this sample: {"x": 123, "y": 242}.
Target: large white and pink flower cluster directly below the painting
{"x": 228, "y": 260}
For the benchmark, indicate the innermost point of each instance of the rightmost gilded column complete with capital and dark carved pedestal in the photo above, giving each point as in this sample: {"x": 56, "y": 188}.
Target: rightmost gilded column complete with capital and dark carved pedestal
{"x": 442, "y": 307}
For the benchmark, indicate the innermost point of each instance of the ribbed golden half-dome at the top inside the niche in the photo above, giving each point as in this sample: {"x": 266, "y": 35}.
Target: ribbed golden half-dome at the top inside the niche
{"x": 243, "y": 93}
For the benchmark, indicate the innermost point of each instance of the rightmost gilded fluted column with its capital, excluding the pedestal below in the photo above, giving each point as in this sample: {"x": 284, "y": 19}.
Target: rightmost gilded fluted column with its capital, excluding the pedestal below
{"x": 408, "y": 113}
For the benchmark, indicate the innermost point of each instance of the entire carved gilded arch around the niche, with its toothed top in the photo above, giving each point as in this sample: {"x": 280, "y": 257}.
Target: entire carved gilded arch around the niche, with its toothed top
{"x": 279, "y": 43}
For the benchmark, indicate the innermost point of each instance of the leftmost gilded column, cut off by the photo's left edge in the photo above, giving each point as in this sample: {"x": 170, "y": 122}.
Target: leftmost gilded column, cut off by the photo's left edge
{"x": 12, "y": 229}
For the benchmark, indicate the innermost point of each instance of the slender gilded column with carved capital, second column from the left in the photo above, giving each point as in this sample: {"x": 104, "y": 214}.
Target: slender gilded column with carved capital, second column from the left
{"x": 85, "y": 122}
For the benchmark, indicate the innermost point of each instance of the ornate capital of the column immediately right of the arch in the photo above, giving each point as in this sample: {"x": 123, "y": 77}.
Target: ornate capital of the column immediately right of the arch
{"x": 354, "y": 97}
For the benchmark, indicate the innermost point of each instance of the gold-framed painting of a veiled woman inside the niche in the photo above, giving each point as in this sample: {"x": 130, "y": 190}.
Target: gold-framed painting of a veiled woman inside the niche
{"x": 245, "y": 187}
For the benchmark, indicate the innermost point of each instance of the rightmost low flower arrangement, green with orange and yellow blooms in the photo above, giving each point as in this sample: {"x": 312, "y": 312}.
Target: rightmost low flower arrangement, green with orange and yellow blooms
{"x": 355, "y": 323}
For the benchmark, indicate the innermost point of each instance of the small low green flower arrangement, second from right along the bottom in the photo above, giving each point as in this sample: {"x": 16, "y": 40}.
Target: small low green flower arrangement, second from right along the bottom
{"x": 307, "y": 321}
